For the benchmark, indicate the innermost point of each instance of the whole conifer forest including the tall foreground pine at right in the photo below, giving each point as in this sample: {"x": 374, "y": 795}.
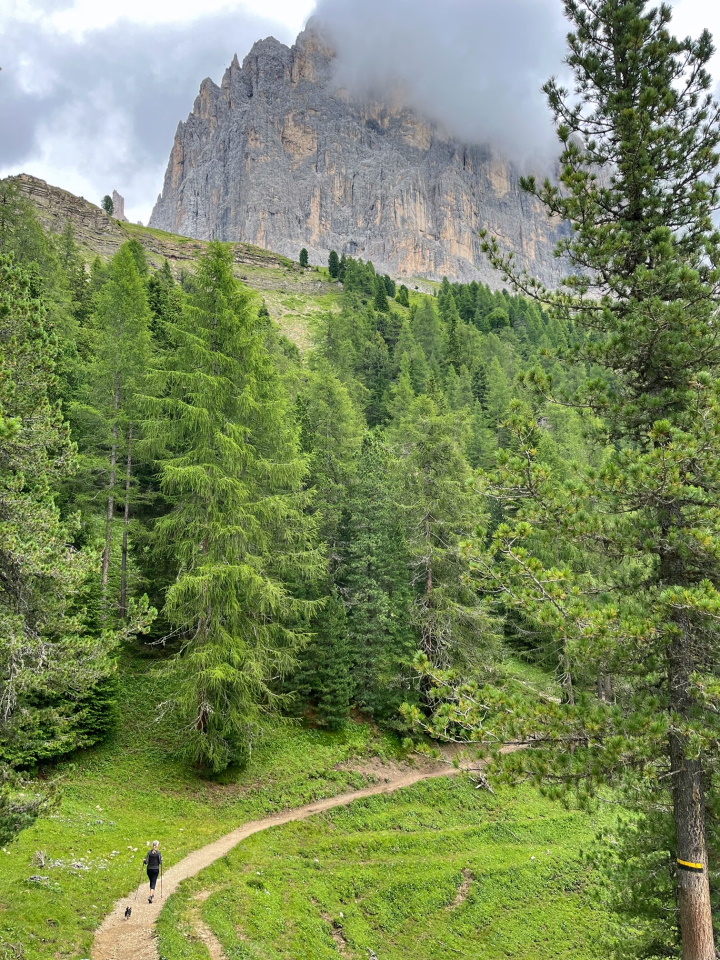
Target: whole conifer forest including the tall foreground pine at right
{"x": 380, "y": 527}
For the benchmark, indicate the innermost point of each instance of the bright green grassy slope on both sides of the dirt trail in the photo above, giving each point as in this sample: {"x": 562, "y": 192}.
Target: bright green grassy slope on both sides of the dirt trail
{"x": 441, "y": 862}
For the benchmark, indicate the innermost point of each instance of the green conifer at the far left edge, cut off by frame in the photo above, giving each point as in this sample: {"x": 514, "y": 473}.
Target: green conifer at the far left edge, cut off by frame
{"x": 49, "y": 661}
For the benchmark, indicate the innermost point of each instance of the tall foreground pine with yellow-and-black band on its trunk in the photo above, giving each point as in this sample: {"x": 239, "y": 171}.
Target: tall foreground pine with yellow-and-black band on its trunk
{"x": 638, "y": 183}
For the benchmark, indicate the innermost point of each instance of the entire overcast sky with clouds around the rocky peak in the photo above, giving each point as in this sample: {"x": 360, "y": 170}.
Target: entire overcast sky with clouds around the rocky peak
{"x": 91, "y": 91}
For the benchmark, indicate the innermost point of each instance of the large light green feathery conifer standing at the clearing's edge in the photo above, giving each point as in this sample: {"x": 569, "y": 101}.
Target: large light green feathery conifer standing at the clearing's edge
{"x": 238, "y": 530}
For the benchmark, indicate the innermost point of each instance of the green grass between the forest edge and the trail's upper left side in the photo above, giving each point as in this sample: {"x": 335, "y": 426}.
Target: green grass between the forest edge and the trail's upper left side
{"x": 118, "y": 797}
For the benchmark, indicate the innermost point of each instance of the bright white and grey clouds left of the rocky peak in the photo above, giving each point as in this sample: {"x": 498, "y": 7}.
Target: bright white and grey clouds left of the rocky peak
{"x": 96, "y": 110}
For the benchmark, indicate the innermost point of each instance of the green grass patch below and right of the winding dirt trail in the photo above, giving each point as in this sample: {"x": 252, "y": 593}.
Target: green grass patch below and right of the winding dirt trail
{"x": 439, "y": 870}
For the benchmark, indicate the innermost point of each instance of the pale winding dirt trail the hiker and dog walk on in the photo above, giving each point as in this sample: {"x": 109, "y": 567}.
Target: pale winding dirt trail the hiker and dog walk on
{"x": 134, "y": 939}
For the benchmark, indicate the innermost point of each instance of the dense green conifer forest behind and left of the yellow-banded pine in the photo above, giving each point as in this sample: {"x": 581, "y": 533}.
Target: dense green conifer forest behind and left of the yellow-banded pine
{"x": 233, "y": 489}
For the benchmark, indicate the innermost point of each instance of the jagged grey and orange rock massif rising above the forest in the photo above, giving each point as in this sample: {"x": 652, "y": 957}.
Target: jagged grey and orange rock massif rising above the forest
{"x": 280, "y": 156}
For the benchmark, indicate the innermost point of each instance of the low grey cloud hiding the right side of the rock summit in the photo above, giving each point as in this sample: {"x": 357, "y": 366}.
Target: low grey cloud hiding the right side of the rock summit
{"x": 476, "y": 66}
